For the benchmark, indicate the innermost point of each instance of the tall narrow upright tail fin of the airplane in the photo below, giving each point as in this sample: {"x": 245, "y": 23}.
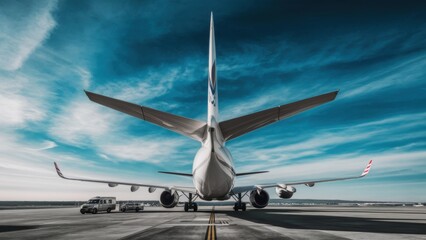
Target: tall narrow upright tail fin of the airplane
{"x": 212, "y": 95}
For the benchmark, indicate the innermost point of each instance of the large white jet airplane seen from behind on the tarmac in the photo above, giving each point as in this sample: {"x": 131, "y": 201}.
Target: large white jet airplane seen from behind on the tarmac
{"x": 213, "y": 173}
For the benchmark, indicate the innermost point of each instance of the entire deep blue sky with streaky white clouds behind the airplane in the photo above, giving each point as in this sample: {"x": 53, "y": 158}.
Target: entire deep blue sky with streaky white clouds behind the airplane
{"x": 155, "y": 53}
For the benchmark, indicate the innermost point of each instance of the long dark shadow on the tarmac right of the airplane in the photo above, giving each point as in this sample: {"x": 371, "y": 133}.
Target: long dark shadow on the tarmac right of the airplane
{"x": 284, "y": 218}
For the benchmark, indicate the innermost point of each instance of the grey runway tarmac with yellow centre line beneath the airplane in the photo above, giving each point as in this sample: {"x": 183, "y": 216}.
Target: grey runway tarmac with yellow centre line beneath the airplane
{"x": 220, "y": 223}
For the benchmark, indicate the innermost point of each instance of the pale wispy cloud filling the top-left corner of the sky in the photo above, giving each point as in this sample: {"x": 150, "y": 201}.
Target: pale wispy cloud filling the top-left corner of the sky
{"x": 23, "y": 28}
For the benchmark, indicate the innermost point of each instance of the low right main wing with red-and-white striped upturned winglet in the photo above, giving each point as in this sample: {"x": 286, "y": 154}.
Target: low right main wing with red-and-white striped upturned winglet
{"x": 311, "y": 183}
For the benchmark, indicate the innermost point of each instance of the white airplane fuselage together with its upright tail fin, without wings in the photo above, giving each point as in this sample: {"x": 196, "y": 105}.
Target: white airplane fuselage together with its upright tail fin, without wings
{"x": 213, "y": 171}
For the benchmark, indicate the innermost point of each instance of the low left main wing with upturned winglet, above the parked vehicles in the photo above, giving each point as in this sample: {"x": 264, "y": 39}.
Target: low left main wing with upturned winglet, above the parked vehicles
{"x": 134, "y": 186}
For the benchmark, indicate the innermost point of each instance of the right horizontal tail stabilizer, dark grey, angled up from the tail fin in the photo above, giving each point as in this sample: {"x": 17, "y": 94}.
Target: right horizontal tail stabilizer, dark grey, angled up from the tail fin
{"x": 241, "y": 125}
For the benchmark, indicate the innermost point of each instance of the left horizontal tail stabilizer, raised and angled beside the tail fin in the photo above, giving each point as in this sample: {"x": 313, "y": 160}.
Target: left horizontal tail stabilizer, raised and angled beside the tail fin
{"x": 185, "y": 126}
